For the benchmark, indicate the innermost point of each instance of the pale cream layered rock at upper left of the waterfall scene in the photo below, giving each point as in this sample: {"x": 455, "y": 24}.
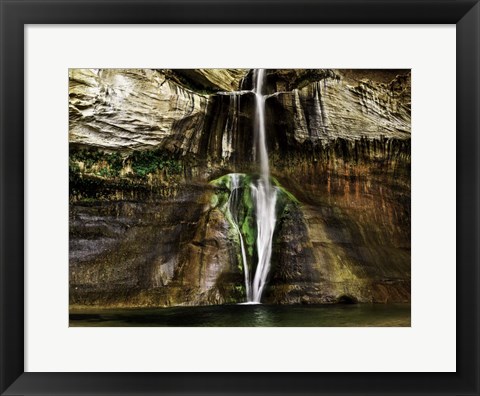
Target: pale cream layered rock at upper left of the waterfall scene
{"x": 132, "y": 109}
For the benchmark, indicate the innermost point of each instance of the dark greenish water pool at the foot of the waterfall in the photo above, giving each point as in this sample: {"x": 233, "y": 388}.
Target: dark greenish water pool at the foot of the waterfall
{"x": 356, "y": 315}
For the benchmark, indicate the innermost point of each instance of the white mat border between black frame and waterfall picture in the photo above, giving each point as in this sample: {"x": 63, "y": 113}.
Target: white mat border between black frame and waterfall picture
{"x": 428, "y": 346}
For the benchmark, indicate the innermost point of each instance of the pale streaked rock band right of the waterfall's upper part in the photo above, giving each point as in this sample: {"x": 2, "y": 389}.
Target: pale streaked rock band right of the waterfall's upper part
{"x": 329, "y": 109}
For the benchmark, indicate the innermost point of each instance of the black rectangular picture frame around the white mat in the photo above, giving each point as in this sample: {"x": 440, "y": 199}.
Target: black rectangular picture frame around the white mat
{"x": 15, "y": 14}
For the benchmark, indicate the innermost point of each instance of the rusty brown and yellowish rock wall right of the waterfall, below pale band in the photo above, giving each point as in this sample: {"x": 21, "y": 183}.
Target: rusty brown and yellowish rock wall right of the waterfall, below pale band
{"x": 350, "y": 237}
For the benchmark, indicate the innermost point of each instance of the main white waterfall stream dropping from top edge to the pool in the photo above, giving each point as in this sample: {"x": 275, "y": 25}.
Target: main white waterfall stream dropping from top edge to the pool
{"x": 263, "y": 194}
